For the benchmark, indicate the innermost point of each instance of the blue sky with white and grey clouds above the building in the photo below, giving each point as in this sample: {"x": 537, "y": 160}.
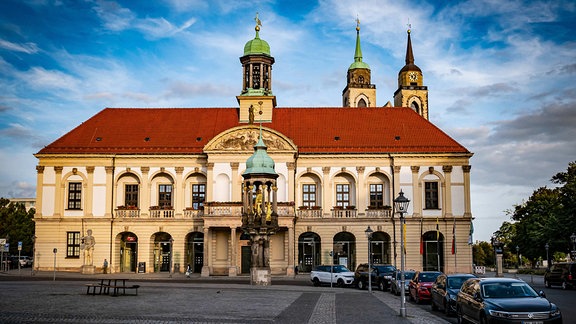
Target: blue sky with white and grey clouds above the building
{"x": 500, "y": 73}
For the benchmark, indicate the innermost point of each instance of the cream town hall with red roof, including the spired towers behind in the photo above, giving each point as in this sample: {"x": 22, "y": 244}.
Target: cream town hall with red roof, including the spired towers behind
{"x": 162, "y": 188}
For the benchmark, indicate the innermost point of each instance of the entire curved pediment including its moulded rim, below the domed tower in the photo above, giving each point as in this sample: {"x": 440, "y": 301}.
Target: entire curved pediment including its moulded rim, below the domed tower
{"x": 245, "y": 137}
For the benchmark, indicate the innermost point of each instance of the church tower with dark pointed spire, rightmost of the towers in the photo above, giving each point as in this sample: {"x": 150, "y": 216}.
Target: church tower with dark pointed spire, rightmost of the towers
{"x": 411, "y": 89}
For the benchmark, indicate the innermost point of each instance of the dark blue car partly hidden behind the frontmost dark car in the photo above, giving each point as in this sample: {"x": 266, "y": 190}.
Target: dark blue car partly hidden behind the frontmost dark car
{"x": 445, "y": 290}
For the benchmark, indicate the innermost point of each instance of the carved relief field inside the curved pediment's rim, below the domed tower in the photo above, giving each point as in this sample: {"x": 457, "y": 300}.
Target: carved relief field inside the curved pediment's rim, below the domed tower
{"x": 245, "y": 139}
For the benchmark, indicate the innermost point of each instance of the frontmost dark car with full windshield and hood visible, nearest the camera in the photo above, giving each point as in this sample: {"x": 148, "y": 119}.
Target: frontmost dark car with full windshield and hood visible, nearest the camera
{"x": 504, "y": 300}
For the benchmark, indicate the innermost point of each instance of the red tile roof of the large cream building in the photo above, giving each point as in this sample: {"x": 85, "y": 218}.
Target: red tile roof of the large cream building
{"x": 313, "y": 130}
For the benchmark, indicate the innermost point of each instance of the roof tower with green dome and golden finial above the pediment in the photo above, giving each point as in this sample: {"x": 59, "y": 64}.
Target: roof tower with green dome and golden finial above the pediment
{"x": 256, "y": 99}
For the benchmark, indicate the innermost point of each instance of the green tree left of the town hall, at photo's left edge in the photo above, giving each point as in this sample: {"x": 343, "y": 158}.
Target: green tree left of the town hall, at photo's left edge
{"x": 16, "y": 225}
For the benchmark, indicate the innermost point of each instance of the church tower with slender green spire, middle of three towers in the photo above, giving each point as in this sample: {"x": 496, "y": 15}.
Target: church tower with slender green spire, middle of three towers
{"x": 359, "y": 92}
